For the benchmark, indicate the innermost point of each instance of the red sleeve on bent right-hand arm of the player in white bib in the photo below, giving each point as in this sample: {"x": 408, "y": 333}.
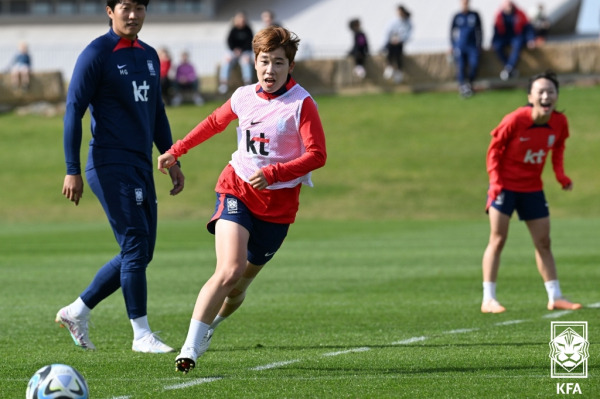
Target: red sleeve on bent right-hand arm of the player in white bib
{"x": 313, "y": 137}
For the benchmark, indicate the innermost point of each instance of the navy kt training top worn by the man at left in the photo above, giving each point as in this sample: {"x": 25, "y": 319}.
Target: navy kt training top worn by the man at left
{"x": 119, "y": 80}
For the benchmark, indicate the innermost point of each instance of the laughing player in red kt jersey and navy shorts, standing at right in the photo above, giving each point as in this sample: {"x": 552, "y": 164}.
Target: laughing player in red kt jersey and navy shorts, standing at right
{"x": 515, "y": 160}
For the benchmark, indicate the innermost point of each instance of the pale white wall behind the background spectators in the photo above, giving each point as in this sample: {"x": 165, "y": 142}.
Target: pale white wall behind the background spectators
{"x": 321, "y": 25}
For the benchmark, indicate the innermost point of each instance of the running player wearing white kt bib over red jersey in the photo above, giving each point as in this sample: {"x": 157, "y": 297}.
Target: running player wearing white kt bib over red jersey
{"x": 280, "y": 141}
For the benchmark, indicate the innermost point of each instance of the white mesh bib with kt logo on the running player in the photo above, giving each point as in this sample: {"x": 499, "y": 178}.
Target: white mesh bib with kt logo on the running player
{"x": 268, "y": 132}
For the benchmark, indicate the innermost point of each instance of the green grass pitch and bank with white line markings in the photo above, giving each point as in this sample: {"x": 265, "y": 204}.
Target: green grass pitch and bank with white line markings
{"x": 375, "y": 293}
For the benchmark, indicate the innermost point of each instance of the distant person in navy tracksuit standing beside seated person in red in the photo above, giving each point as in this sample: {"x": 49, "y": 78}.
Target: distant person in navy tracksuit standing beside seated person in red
{"x": 466, "y": 38}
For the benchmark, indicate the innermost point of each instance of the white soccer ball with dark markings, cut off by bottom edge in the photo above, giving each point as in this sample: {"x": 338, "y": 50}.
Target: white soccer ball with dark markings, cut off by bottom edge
{"x": 57, "y": 381}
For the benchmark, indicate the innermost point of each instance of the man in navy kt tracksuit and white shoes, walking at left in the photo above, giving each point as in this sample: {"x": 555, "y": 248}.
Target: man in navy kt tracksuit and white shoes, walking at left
{"x": 118, "y": 77}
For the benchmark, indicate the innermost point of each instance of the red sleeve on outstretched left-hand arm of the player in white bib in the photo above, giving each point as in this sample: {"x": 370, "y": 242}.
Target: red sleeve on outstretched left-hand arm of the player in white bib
{"x": 215, "y": 123}
